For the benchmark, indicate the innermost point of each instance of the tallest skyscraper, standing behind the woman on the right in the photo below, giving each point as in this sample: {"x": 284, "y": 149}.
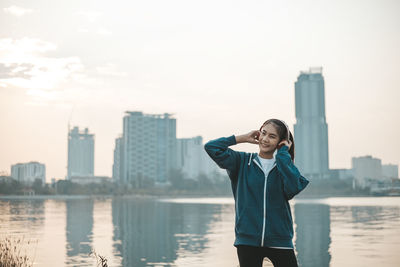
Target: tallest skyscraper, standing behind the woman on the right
{"x": 311, "y": 129}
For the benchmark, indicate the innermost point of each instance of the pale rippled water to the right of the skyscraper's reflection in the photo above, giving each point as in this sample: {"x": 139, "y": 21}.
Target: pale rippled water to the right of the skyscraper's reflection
{"x": 366, "y": 235}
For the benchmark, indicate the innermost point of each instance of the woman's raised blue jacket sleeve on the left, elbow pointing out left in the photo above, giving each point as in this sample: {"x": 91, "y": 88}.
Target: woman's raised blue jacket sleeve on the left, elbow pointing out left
{"x": 225, "y": 157}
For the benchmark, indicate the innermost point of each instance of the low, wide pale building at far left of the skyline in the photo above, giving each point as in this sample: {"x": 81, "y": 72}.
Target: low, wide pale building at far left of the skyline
{"x": 29, "y": 172}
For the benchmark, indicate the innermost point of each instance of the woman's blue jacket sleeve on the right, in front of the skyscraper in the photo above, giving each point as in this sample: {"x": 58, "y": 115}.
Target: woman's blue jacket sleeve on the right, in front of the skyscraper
{"x": 293, "y": 181}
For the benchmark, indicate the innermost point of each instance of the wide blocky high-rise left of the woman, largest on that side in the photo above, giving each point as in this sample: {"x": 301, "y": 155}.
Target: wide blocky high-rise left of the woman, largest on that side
{"x": 148, "y": 148}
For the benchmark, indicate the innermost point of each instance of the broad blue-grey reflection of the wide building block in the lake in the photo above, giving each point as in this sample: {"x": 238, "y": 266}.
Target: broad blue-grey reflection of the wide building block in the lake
{"x": 150, "y": 233}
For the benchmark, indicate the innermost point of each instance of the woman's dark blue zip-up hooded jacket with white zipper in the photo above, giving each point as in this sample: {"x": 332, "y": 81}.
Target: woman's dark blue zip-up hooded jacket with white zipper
{"x": 263, "y": 216}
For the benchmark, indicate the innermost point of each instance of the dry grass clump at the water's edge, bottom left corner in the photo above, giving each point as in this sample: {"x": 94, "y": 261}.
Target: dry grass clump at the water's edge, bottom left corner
{"x": 13, "y": 252}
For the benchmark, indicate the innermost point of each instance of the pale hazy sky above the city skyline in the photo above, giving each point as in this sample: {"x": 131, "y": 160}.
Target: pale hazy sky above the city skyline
{"x": 221, "y": 67}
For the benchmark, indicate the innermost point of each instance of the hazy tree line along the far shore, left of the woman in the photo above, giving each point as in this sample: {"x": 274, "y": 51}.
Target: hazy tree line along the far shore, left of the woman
{"x": 178, "y": 185}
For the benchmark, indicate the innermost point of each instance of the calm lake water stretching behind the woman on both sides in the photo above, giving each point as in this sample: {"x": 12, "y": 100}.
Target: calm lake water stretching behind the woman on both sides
{"x": 198, "y": 232}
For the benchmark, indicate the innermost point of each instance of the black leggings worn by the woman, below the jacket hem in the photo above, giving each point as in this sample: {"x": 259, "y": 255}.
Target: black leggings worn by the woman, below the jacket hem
{"x": 253, "y": 256}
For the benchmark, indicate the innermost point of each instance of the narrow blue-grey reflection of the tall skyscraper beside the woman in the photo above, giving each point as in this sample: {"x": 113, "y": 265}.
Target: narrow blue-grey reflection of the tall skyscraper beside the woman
{"x": 312, "y": 234}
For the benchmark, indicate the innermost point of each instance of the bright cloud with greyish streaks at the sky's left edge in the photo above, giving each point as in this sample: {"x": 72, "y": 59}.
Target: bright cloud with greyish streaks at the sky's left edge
{"x": 24, "y": 64}
